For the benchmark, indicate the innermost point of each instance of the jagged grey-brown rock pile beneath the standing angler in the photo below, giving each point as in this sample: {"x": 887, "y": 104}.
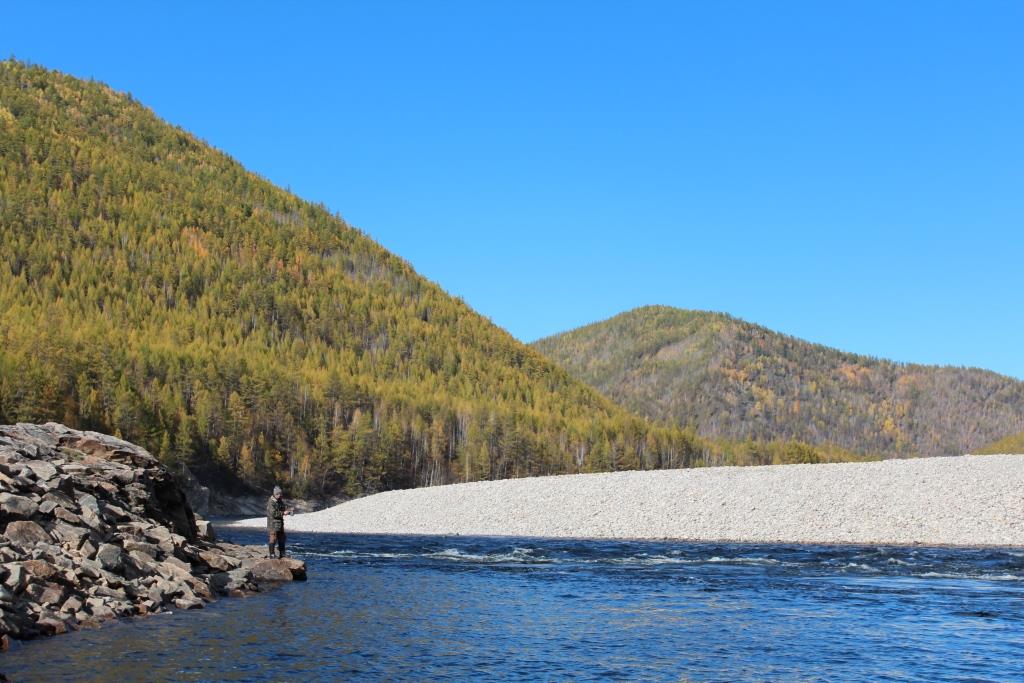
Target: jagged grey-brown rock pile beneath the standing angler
{"x": 95, "y": 528}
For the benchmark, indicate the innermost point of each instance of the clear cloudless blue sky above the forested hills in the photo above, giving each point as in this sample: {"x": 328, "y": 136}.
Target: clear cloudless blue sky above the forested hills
{"x": 847, "y": 173}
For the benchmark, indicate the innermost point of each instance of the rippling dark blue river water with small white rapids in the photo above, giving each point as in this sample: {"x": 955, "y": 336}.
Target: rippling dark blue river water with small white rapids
{"x": 471, "y": 609}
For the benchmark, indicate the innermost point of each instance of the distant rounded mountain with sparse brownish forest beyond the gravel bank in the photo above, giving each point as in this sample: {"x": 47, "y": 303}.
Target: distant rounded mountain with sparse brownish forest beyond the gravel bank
{"x": 741, "y": 381}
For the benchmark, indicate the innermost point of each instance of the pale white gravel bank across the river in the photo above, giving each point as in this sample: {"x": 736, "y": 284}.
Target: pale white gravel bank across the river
{"x": 976, "y": 500}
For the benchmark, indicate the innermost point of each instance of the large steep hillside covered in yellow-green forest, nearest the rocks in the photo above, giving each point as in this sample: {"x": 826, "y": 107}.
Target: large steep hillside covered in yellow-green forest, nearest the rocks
{"x": 153, "y": 288}
